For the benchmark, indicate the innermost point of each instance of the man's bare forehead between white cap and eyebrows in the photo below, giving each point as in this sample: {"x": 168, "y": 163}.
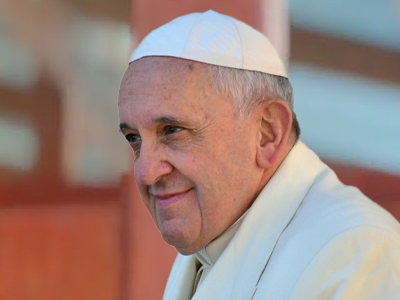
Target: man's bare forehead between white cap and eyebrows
{"x": 156, "y": 86}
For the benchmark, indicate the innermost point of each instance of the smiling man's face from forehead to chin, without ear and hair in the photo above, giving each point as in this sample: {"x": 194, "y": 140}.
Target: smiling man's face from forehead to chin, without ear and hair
{"x": 194, "y": 162}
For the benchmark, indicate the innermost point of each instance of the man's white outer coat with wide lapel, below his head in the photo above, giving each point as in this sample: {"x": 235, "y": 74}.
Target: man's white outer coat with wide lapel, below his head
{"x": 306, "y": 237}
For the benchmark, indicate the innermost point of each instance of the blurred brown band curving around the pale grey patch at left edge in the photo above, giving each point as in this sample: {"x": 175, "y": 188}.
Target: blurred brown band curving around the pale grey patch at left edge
{"x": 41, "y": 107}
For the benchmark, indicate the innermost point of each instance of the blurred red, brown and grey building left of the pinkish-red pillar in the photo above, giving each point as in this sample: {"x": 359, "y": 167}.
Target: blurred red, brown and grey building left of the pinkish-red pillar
{"x": 62, "y": 161}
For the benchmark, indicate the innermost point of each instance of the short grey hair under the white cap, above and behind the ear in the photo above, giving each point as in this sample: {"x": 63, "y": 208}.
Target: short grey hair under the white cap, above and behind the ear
{"x": 248, "y": 87}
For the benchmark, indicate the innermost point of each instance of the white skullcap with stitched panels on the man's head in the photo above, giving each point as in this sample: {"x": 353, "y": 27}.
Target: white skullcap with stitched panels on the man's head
{"x": 214, "y": 39}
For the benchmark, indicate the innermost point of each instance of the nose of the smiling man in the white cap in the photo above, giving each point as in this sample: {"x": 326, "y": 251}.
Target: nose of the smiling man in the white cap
{"x": 152, "y": 164}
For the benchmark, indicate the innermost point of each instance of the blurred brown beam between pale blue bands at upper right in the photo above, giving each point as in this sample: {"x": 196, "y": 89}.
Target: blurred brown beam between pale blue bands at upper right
{"x": 343, "y": 55}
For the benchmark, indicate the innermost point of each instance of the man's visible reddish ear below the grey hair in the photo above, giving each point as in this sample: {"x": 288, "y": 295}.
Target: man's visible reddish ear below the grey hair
{"x": 275, "y": 122}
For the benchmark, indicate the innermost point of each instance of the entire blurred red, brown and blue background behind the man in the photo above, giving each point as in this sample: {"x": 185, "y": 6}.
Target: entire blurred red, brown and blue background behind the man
{"x": 72, "y": 225}
